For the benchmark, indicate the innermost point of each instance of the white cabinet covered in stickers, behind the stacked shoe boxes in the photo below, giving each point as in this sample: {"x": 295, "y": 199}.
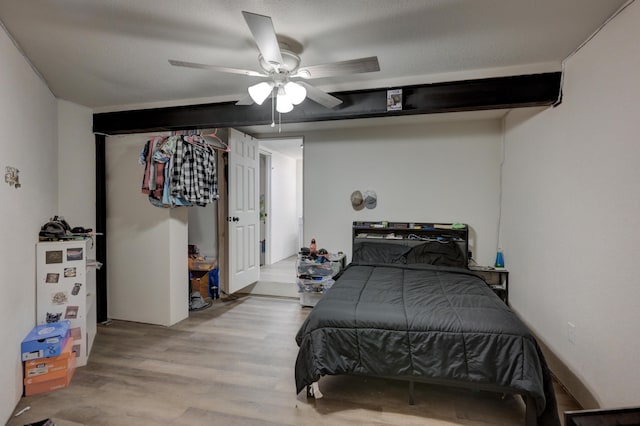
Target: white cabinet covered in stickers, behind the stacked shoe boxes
{"x": 66, "y": 289}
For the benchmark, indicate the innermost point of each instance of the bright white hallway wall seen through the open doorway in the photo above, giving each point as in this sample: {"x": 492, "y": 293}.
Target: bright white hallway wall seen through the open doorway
{"x": 284, "y": 200}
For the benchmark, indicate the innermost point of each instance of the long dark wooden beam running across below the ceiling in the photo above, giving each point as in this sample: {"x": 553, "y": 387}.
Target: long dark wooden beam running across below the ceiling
{"x": 467, "y": 95}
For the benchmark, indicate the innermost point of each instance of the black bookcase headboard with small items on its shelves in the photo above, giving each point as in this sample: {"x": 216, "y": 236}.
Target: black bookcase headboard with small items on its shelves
{"x": 412, "y": 233}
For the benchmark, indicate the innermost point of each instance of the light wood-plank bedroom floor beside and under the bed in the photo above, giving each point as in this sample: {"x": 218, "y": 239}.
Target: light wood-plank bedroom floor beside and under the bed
{"x": 232, "y": 364}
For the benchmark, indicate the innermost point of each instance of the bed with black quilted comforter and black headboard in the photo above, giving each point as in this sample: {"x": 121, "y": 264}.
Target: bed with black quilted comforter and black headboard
{"x": 407, "y": 308}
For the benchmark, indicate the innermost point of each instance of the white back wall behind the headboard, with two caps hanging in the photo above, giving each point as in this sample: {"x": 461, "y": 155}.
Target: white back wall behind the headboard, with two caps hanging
{"x": 440, "y": 172}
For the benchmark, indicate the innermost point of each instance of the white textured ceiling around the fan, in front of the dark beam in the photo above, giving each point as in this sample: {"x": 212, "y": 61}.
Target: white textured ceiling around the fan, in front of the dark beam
{"x": 112, "y": 54}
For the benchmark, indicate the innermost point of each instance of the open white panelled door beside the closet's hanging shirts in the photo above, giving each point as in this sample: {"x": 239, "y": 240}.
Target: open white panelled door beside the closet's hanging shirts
{"x": 244, "y": 211}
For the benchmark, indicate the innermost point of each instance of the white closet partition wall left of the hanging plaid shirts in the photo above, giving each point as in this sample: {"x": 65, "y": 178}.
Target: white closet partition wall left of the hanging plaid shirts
{"x": 146, "y": 245}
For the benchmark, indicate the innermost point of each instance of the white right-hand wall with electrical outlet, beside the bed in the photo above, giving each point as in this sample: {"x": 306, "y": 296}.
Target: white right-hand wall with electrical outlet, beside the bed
{"x": 571, "y": 210}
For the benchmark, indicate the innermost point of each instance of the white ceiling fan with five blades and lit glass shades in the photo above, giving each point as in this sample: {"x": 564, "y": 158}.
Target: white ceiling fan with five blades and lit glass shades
{"x": 286, "y": 79}
